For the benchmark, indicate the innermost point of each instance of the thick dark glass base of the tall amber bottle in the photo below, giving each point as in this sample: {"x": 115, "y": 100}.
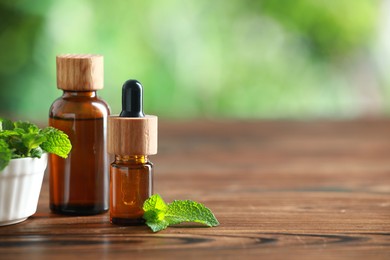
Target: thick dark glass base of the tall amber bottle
{"x": 77, "y": 210}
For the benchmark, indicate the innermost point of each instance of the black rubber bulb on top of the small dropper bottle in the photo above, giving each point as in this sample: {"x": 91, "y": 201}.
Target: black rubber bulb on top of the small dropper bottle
{"x": 132, "y": 99}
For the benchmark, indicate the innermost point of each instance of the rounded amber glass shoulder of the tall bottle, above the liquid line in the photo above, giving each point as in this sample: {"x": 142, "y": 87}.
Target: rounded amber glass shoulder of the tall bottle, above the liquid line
{"x": 79, "y": 108}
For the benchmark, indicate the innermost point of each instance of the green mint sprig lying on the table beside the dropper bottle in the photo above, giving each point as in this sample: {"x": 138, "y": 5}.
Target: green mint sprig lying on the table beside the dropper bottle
{"x": 159, "y": 215}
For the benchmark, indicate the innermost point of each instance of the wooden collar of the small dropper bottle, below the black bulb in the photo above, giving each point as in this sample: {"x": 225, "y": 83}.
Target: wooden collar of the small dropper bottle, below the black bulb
{"x": 132, "y": 135}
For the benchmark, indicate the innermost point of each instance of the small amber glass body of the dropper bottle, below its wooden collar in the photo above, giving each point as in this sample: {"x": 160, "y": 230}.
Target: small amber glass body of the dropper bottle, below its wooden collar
{"x": 131, "y": 183}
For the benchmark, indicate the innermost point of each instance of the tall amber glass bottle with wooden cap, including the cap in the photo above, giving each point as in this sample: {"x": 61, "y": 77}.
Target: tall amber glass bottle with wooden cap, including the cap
{"x": 79, "y": 184}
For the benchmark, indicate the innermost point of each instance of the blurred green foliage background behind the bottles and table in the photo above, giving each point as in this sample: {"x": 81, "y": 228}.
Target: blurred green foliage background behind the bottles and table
{"x": 272, "y": 59}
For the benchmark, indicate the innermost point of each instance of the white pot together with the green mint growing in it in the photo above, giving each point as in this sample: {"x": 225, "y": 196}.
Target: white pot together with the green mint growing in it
{"x": 23, "y": 160}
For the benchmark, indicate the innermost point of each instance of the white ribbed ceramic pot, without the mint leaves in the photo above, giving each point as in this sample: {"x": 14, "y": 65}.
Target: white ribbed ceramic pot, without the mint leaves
{"x": 20, "y": 185}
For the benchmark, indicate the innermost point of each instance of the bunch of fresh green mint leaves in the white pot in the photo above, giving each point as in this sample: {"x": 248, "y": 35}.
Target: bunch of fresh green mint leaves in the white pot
{"x": 23, "y": 139}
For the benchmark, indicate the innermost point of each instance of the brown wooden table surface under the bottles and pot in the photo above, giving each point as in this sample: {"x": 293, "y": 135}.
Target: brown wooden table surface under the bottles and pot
{"x": 281, "y": 190}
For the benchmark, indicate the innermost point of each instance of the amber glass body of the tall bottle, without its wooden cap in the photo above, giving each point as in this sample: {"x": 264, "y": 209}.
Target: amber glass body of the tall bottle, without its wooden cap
{"x": 79, "y": 184}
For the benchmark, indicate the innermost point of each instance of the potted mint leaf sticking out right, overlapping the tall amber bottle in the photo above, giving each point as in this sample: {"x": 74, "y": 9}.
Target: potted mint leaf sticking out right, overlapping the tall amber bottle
{"x": 57, "y": 142}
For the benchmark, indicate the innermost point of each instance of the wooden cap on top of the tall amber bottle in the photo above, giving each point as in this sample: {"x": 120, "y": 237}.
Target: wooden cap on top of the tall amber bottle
{"x": 80, "y": 72}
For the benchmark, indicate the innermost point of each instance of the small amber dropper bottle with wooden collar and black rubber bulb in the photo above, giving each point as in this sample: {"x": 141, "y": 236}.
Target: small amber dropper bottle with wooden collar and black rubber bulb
{"x": 132, "y": 137}
